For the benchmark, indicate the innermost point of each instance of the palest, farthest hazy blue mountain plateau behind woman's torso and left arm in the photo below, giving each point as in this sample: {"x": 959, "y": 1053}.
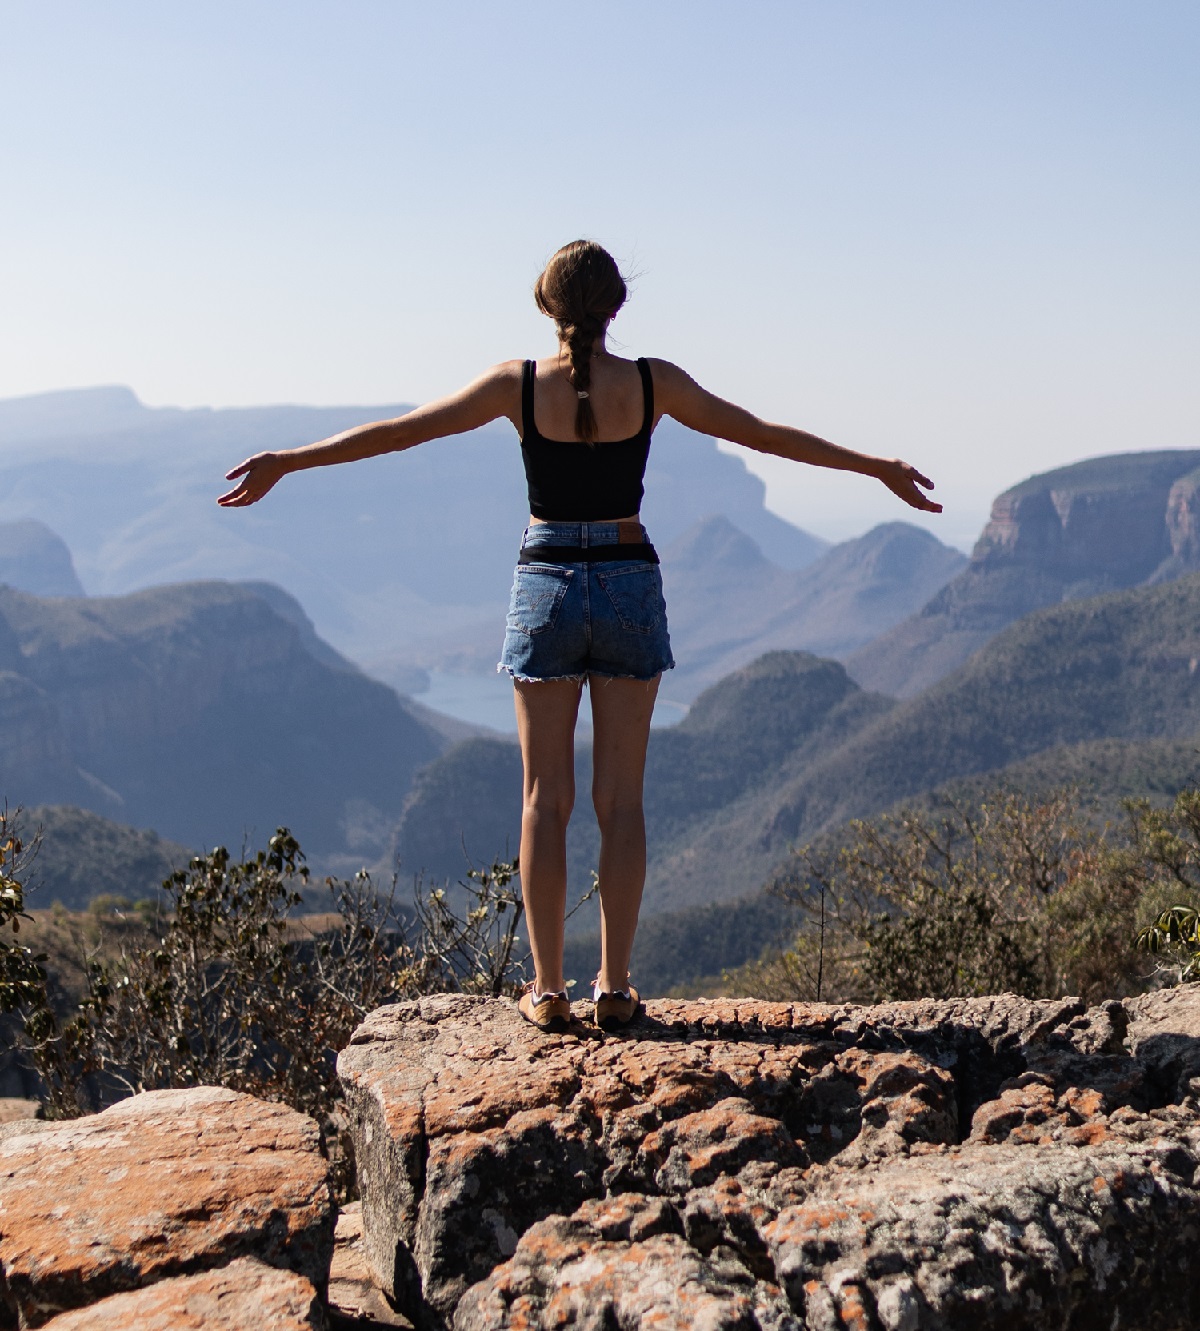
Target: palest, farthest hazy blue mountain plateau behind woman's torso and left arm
{"x": 398, "y": 561}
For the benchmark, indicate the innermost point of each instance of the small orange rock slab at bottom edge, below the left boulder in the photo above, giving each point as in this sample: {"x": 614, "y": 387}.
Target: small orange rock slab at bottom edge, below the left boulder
{"x": 233, "y": 1298}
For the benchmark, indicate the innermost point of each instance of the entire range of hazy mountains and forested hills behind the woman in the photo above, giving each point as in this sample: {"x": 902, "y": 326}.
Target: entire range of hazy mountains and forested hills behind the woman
{"x": 1066, "y": 649}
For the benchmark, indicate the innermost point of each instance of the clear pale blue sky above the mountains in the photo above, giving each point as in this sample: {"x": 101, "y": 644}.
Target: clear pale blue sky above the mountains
{"x": 957, "y": 232}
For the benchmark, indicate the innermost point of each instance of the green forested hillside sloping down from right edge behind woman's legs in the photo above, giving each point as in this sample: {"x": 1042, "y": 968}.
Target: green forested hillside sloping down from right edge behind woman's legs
{"x": 791, "y": 747}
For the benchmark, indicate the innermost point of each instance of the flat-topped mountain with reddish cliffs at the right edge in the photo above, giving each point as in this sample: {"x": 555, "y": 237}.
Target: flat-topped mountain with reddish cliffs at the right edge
{"x": 1093, "y": 528}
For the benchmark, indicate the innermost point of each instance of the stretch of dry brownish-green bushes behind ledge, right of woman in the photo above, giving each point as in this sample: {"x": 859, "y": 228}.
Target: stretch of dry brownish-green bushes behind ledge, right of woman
{"x": 1013, "y": 895}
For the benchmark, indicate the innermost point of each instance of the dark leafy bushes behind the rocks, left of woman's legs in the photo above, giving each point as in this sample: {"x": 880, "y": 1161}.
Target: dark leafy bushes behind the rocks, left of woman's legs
{"x": 233, "y": 990}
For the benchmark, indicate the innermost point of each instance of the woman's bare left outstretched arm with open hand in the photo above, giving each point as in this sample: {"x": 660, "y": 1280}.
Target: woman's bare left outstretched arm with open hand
{"x": 492, "y": 396}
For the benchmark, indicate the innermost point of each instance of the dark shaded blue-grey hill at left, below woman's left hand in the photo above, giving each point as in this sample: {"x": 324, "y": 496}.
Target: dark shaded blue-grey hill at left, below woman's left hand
{"x": 202, "y": 713}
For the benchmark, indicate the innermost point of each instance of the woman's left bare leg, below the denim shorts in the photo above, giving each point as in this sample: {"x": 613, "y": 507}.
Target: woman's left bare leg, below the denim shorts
{"x": 546, "y": 723}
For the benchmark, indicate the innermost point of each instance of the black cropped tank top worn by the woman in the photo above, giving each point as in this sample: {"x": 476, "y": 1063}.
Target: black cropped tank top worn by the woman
{"x": 571, "y": 481}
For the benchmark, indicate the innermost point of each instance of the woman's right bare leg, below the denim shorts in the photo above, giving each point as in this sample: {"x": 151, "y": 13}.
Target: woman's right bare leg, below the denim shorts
{"x": 622, "y": 725}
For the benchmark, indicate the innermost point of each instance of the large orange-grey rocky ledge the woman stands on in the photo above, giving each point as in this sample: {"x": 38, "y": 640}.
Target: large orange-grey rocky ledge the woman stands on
{"x": 985, "y": 1164}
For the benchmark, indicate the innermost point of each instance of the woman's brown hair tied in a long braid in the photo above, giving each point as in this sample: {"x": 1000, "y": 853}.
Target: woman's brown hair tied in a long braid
{"x": 581, "y": 289}
